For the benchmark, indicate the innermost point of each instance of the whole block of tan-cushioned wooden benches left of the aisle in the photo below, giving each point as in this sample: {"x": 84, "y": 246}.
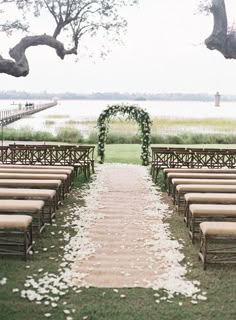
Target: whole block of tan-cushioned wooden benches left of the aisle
{"x": 29, "y": 197}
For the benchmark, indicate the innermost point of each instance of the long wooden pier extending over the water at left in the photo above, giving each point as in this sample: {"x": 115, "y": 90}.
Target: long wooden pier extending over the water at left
{"x": 11, "y": 115}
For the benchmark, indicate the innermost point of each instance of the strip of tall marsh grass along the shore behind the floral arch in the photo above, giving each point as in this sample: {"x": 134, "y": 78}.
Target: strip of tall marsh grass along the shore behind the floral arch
{"x": 164, "y": 130}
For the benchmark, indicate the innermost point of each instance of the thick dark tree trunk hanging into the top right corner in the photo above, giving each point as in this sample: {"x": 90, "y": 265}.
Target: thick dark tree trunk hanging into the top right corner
{"x": 222, "y": 38}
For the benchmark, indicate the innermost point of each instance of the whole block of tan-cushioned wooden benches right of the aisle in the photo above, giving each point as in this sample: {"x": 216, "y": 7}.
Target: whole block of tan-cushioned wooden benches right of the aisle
{"x": 207, "y": 200}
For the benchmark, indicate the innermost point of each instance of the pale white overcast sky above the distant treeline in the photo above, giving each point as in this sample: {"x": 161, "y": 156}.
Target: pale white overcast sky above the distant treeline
{"x": 163, "y": 51}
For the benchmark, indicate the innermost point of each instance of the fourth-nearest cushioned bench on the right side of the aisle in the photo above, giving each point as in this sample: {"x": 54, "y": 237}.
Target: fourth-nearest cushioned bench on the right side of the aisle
{"x": 182, "y": 189}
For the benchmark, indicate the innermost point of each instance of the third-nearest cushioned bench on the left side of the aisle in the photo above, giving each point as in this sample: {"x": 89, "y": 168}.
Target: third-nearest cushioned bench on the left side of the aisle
{"x": 46, "y": 195}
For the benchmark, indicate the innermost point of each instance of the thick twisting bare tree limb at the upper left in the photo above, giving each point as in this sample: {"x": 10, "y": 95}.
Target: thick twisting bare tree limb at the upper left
{"x": 20, "y": 67}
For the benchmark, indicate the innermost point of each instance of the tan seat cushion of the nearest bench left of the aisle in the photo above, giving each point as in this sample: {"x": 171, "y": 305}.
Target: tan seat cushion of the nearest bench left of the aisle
{"x": 15, "y": 221}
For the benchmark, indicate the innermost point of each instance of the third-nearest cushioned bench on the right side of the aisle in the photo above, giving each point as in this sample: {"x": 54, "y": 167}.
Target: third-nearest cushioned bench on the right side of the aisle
{"x": 206, "y": 198}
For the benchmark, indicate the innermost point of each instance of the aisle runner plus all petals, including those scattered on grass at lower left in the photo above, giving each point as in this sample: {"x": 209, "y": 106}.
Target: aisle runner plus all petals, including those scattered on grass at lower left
{"x": 120, "y": 241}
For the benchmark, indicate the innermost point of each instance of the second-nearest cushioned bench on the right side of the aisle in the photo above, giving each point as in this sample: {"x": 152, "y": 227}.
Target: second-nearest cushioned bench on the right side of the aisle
{"x": 209, "y": 212}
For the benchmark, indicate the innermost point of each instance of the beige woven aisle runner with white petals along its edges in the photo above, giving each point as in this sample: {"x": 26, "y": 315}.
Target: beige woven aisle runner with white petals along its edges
{"x": 127, "y": 243}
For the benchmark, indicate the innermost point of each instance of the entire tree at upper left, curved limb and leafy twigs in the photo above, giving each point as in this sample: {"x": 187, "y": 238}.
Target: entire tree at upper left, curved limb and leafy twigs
{"x": 73, "y": 19}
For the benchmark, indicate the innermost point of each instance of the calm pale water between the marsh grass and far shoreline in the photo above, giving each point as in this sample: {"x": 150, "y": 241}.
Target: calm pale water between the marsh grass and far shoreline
{"x": 78, "y": 110}
